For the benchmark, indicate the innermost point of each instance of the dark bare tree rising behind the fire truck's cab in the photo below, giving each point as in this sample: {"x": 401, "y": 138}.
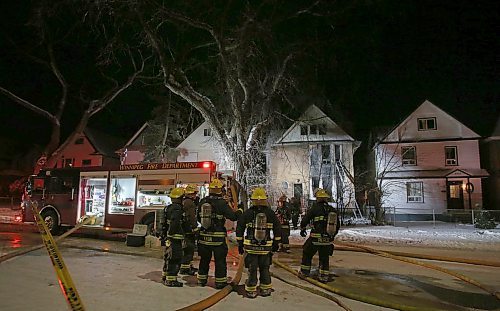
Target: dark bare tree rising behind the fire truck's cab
{"x": 52, "y": 45}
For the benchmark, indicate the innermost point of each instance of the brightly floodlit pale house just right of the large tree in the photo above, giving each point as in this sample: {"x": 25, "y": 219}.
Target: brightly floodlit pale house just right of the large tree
{"x": 314, "y": 152}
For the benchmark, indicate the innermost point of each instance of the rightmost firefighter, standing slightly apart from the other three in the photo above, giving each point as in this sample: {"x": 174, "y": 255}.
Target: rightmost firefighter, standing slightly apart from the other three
{"x": 325, "y": 226}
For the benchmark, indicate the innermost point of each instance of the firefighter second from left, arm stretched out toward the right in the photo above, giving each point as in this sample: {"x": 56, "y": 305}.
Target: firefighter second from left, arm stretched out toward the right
{"x": 213, "y": 211}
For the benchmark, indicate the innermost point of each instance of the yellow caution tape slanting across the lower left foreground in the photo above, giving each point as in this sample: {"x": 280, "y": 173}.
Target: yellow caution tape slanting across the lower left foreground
{"x": 66, "y": 283}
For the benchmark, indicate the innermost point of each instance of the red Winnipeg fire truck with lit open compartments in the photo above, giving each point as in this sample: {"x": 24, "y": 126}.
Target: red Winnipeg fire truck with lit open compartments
{"x": 113, "y": 198}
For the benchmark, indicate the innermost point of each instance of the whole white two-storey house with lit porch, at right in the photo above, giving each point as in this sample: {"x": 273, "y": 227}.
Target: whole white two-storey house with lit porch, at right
{"x": 428, "y": 164}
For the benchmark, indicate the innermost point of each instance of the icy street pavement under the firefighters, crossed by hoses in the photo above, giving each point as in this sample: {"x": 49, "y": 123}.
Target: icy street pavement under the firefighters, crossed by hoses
{"x": 108, "y": 279}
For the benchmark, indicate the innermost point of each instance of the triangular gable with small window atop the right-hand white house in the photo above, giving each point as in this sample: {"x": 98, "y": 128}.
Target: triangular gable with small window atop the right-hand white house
{"x": 427, "y": 110}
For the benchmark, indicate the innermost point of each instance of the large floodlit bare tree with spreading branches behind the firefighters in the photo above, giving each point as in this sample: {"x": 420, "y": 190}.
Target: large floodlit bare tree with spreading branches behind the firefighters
{"x": 234, "y": 62}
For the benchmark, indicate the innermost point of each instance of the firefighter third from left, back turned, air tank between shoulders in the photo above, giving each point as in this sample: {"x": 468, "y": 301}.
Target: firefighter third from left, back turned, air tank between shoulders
{"x": 258, "y": 221}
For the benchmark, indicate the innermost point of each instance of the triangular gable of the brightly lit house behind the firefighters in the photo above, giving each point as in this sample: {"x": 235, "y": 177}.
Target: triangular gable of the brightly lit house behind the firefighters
{"x": 313, "y": 116}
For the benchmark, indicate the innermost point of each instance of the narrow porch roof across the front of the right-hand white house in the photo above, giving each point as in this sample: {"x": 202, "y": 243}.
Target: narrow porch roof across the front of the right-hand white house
{"x": 441, "y": 173}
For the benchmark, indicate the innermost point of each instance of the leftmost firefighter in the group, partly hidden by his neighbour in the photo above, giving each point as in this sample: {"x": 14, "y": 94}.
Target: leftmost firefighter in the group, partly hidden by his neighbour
{"x": 189, "y": 237}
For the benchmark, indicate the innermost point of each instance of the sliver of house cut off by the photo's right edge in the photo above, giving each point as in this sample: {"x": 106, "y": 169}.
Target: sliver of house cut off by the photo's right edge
{"x": 492, "y": 163}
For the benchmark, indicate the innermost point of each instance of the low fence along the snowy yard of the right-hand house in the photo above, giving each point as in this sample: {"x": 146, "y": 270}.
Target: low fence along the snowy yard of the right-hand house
{"x": 400, "y": 216}
